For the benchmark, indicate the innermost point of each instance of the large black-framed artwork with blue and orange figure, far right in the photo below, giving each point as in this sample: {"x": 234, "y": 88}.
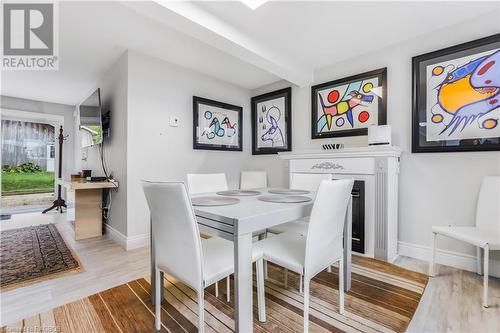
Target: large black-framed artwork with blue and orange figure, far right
{"x": 456, "y": 98}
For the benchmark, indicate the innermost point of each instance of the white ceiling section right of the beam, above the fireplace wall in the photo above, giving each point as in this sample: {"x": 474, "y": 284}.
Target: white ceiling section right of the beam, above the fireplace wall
{"x": 317, "y": 34}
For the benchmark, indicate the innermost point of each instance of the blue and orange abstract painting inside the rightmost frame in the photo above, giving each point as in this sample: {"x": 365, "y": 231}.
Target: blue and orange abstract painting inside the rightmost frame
{"x": 463, "y": 97}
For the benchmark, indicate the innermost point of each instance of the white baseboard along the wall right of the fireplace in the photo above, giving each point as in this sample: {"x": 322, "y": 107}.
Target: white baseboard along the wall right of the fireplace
{"x": 449, "y": 258}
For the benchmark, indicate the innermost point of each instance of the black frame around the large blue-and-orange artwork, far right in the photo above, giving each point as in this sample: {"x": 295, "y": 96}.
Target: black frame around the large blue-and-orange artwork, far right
{"x": 420, "y": 144}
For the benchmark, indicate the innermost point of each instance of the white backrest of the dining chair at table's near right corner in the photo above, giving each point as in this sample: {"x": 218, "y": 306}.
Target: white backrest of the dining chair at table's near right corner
{"x": 326, "y": 225}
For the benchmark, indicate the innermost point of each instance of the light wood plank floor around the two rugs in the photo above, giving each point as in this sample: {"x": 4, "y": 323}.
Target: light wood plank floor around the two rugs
{"x": 451, "y": 301}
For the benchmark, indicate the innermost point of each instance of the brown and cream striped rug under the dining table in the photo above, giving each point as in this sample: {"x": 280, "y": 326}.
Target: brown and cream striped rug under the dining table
{"x": 383, "y": 298}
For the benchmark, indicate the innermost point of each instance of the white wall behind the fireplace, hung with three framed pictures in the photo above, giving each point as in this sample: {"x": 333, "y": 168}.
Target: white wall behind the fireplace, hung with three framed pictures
{"x": 434, "y": 188}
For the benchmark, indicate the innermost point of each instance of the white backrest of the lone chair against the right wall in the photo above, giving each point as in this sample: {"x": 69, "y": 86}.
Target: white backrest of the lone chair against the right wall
{"x": 488, "y": 204}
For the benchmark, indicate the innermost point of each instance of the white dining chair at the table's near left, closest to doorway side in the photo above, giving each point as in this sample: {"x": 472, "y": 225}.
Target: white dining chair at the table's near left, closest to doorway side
{"x": 180, "y": 251}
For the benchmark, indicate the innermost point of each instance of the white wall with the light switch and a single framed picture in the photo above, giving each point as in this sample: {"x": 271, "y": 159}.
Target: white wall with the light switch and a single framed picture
{"x": 158, "y": 90}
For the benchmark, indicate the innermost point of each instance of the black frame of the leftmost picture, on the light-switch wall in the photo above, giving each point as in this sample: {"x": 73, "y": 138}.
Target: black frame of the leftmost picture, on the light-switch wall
{"x": 197, "y": 101}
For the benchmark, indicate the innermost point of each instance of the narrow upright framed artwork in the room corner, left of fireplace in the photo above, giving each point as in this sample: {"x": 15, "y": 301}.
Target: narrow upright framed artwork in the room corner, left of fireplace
{"x": 272, "y": 122}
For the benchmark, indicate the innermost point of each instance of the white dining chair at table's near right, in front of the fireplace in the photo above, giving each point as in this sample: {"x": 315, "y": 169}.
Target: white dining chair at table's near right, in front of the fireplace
{"x": 321, "y": 247}
